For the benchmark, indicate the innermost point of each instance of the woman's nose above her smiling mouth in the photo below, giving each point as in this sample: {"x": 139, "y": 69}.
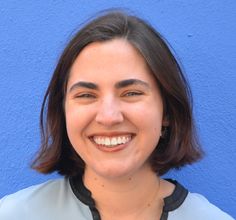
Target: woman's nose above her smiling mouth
{"x": 109, "y": 113}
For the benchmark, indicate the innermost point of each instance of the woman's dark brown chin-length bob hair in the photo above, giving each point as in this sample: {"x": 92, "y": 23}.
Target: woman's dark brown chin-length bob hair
{"x": 178, "y": 147}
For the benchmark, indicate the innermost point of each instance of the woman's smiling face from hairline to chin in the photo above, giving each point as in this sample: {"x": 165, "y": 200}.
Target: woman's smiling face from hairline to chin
{"x": 113, "y": 109}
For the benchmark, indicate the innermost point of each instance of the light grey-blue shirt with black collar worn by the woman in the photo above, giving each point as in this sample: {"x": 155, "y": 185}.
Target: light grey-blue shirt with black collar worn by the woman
{"x": 64, "y": 199}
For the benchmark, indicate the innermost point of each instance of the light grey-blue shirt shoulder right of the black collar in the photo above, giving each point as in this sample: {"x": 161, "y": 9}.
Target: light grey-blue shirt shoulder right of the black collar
{"x": 196, "y": 206}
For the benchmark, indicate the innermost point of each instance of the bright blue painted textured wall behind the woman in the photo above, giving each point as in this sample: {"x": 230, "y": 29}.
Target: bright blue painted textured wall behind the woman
{"x": 203, "y": 34}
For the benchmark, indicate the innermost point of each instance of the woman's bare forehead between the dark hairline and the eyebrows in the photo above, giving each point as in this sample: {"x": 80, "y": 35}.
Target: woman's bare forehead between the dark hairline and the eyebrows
{"x": 111, "y": 60}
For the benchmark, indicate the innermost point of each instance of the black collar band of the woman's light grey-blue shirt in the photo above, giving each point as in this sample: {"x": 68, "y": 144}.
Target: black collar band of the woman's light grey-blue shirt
{"x": 171, "y": 202}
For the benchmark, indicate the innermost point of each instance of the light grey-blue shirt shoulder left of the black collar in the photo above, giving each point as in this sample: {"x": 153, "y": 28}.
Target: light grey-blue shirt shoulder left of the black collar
{"x": 43, "y": 201}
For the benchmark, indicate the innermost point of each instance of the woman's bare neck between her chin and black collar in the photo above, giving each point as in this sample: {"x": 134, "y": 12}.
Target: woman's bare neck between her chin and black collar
{"x": 128, "y": 197}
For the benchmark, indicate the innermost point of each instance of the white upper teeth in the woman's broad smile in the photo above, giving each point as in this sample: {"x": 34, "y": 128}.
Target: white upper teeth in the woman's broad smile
{"x": 111, "y": 141}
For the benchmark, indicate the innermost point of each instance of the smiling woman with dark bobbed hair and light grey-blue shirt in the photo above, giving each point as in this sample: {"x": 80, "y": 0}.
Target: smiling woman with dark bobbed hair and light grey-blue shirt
{"x": 118, "y": 116}
